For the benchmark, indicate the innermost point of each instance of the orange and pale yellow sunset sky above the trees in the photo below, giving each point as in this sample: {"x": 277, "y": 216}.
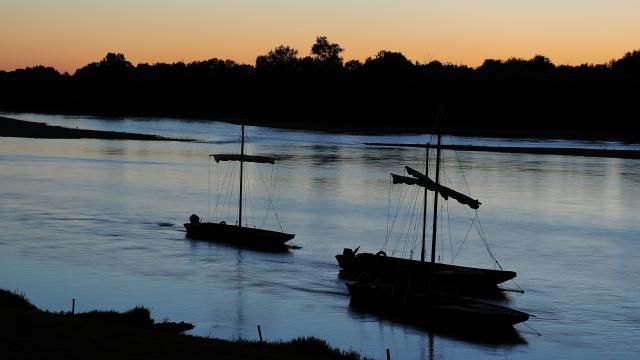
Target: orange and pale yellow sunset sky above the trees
{"x": 68, "y": 34}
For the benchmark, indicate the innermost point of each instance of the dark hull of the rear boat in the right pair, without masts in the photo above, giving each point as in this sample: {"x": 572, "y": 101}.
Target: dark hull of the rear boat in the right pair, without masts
{"x": 423, "y": 275}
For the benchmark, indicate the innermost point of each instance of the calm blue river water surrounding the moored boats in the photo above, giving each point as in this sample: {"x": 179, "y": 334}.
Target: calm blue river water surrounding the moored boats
{"x": 101, "y": 221}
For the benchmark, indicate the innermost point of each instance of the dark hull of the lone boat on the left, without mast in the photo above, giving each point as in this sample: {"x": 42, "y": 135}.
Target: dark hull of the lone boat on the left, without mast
{"x": 239, "y": 236}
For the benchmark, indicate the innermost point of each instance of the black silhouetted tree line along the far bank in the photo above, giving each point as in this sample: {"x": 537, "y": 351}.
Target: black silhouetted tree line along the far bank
{"x": 514, "y": 97}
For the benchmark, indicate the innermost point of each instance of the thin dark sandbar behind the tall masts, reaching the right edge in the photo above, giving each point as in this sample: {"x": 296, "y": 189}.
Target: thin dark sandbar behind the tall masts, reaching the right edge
{"x": 619, "y": 154}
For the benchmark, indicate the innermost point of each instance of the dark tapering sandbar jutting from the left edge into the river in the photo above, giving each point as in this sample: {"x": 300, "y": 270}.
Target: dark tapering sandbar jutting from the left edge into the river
{"x": 29, "y": 129}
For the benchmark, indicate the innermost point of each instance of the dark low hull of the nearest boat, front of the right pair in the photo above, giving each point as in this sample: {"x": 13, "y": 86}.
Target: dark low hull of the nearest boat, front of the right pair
{"x": 434, "y": 309}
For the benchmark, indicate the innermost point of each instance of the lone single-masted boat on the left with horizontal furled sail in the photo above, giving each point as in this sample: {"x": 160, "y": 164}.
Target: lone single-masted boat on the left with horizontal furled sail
{"x": 237, "y": 234}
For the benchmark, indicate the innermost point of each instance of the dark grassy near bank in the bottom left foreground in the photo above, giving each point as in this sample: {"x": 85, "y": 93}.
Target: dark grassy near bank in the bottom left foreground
{"x": 29, "y": 333}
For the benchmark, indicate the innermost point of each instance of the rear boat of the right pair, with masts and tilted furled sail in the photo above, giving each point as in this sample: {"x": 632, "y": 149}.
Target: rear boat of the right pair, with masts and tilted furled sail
{"x": 428, "y": 275}
